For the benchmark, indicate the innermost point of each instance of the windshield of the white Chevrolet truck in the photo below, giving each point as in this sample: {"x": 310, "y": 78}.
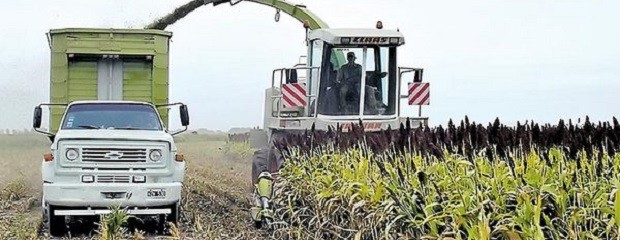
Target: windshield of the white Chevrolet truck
{"x": 112, "y": 116}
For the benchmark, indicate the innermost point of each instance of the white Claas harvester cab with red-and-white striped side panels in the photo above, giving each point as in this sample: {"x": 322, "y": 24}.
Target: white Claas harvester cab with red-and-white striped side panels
{"x": 349, "y": 75}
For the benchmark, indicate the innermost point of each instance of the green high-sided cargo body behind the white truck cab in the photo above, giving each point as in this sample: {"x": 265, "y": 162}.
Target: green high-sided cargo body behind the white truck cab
{"x": 108, "y": 64}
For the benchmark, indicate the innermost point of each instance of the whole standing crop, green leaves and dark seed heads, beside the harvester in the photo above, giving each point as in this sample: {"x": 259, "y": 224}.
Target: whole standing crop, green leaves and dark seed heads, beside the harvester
{"x": 530, "y": 181}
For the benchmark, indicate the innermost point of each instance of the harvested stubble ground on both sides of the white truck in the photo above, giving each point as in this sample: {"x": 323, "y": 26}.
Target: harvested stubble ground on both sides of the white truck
{"x": 216, "y": 196}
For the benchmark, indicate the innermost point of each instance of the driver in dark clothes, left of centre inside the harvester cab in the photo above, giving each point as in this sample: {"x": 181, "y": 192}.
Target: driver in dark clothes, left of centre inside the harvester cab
{"x": 349, "y": 76}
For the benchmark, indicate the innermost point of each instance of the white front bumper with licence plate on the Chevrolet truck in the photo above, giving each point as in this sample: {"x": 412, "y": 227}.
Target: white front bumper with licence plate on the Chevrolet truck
{"x": 94, "y": 195}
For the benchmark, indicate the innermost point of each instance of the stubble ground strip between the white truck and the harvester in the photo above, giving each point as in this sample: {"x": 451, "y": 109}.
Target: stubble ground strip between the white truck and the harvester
{"x": 218, "y": 200}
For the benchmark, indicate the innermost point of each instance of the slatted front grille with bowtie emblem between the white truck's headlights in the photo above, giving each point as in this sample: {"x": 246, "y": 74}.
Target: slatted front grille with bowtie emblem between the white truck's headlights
{"x": 103, "y": 155}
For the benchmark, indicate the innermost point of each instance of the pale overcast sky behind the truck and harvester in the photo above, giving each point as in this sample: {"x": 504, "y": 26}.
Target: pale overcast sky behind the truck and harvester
{"x": 516, "y": 60}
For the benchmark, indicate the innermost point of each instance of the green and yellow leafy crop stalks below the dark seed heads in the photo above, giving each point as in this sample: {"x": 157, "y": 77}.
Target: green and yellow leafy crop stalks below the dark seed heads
{"x": 345, "y": 193}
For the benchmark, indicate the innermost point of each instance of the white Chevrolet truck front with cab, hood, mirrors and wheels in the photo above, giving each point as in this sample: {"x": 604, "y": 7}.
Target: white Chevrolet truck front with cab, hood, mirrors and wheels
{"x": 108, "y": 153}
